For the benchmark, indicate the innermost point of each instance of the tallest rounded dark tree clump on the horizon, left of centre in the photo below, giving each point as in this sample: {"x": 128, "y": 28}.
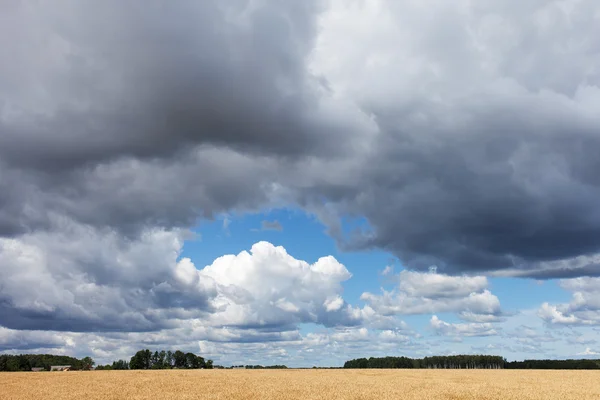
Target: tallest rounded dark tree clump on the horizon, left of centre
{"x": 145, "y": 359}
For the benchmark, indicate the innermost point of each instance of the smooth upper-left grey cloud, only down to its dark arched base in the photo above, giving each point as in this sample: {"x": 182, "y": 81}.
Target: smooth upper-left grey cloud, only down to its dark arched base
{"x": 102, "y": 80}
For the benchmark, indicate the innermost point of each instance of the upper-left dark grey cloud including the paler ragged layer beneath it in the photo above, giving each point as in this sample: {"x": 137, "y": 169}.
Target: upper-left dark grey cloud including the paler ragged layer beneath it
{"x": 138, "y": 114}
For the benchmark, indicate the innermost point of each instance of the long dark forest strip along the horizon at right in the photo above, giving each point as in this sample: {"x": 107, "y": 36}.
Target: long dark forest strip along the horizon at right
{"x": 469, "y": 362}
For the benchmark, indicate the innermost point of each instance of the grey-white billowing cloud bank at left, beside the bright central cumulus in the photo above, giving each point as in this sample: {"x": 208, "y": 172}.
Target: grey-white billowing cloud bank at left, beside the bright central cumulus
{"x": 79, "y": 278}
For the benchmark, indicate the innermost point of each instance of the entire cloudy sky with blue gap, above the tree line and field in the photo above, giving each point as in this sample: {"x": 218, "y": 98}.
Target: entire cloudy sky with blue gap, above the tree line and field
{"x": 300, "y": 182}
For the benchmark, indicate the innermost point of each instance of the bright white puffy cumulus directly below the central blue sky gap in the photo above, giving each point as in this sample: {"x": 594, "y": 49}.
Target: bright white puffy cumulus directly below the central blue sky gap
{"x": 269, "y": 287}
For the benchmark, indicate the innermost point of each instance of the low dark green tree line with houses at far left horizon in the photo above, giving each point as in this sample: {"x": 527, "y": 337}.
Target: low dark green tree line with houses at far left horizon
{"x": 25, "y": 362}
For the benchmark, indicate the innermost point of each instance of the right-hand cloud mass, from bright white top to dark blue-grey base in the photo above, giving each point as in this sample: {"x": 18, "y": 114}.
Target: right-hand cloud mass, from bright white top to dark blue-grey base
{"x": 486, "y": 152}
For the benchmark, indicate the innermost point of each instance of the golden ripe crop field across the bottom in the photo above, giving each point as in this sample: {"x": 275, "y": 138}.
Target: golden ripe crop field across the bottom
{"x": 302, "y": 384}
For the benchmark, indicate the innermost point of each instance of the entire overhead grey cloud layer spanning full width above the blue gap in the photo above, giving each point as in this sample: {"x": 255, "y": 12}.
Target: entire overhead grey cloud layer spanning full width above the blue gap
{"x": 467, "y": 141}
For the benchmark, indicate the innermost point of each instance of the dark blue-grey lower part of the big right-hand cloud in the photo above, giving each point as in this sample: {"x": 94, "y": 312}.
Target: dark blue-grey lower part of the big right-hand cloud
{"x": 474, "y": 202}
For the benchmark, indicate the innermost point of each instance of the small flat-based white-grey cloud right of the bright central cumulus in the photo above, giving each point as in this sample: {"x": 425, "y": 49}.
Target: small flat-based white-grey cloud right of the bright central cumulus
{"x": 426, "y": 293}
